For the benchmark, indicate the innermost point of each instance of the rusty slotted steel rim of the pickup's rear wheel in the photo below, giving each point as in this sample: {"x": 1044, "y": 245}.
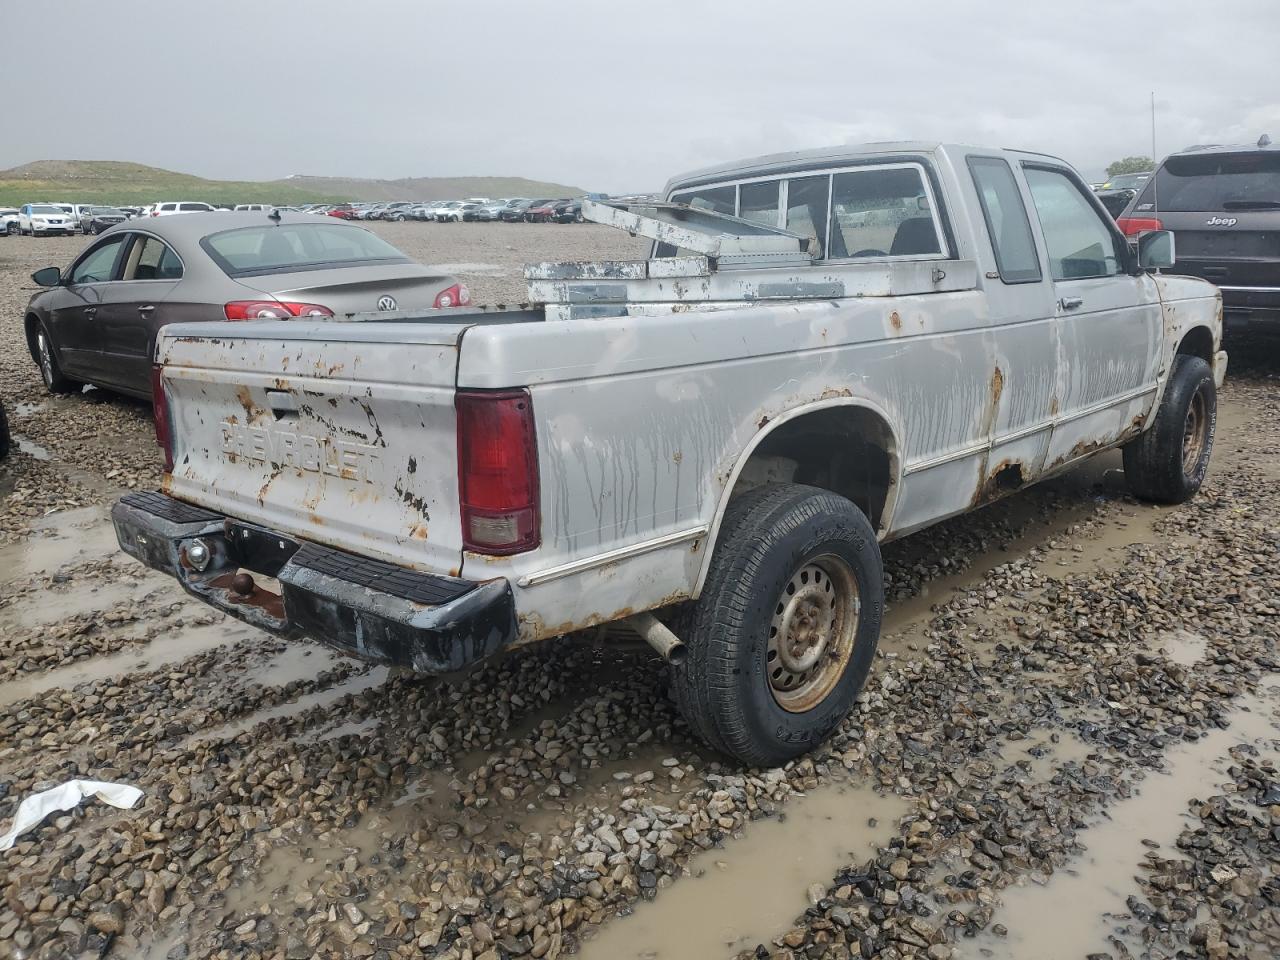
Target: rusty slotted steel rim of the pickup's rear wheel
{"x": 813, "y": 633}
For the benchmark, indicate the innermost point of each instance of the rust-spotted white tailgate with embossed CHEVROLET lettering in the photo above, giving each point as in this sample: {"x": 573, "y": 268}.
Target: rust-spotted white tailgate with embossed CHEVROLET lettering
{"x": 341, "y": 433}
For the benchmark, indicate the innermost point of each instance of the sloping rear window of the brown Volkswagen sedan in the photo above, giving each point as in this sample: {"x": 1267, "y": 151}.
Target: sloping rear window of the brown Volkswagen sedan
{"x": 253, "y": 252}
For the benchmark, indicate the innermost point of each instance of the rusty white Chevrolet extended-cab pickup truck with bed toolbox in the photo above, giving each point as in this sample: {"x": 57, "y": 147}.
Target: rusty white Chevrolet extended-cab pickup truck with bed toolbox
{"x": 828, "y": 350}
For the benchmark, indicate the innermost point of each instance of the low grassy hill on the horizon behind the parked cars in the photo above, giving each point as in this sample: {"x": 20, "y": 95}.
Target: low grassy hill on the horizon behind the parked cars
{"x": 118, "y": 182}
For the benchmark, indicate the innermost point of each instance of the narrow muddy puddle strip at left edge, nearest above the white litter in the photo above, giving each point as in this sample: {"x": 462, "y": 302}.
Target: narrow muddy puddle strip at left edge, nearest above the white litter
{"x": 173, "y": 647}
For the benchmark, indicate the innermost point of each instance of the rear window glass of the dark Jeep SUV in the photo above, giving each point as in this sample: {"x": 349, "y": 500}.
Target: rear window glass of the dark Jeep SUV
{"x": 1214, "y": 182}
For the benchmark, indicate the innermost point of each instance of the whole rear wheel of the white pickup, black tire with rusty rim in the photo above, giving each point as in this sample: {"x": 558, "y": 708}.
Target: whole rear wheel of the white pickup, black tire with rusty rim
{"x": 729, "y": 685}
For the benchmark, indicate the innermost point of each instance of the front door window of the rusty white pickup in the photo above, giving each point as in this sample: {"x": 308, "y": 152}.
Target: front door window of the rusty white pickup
{"x": 1080, "y": 243}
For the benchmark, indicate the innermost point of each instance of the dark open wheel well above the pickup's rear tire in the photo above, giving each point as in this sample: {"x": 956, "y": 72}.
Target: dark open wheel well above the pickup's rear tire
{"x": 847, "y": 450}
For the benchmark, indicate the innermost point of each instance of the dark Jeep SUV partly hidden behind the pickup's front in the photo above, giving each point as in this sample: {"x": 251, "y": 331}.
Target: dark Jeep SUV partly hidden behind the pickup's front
{"x": 1223, "y": 204}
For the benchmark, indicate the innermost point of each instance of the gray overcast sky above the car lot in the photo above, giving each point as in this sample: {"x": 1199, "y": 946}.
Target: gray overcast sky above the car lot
{"x": 615, "y": 94}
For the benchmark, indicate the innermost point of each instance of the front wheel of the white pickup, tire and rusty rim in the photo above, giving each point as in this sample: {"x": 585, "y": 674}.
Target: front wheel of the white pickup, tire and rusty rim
{"x": 1168, "y": 463}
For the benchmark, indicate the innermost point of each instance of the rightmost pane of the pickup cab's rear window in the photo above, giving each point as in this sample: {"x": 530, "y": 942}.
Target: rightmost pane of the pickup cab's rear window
{"x": 883, "y": 212}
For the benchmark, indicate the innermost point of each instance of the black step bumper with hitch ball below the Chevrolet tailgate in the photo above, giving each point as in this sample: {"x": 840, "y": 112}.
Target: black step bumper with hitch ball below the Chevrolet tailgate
{"x": 363, "y": 607}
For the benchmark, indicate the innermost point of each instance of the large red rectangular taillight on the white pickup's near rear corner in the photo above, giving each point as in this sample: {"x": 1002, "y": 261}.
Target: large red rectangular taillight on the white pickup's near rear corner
{"x": 499, "y": 472}
